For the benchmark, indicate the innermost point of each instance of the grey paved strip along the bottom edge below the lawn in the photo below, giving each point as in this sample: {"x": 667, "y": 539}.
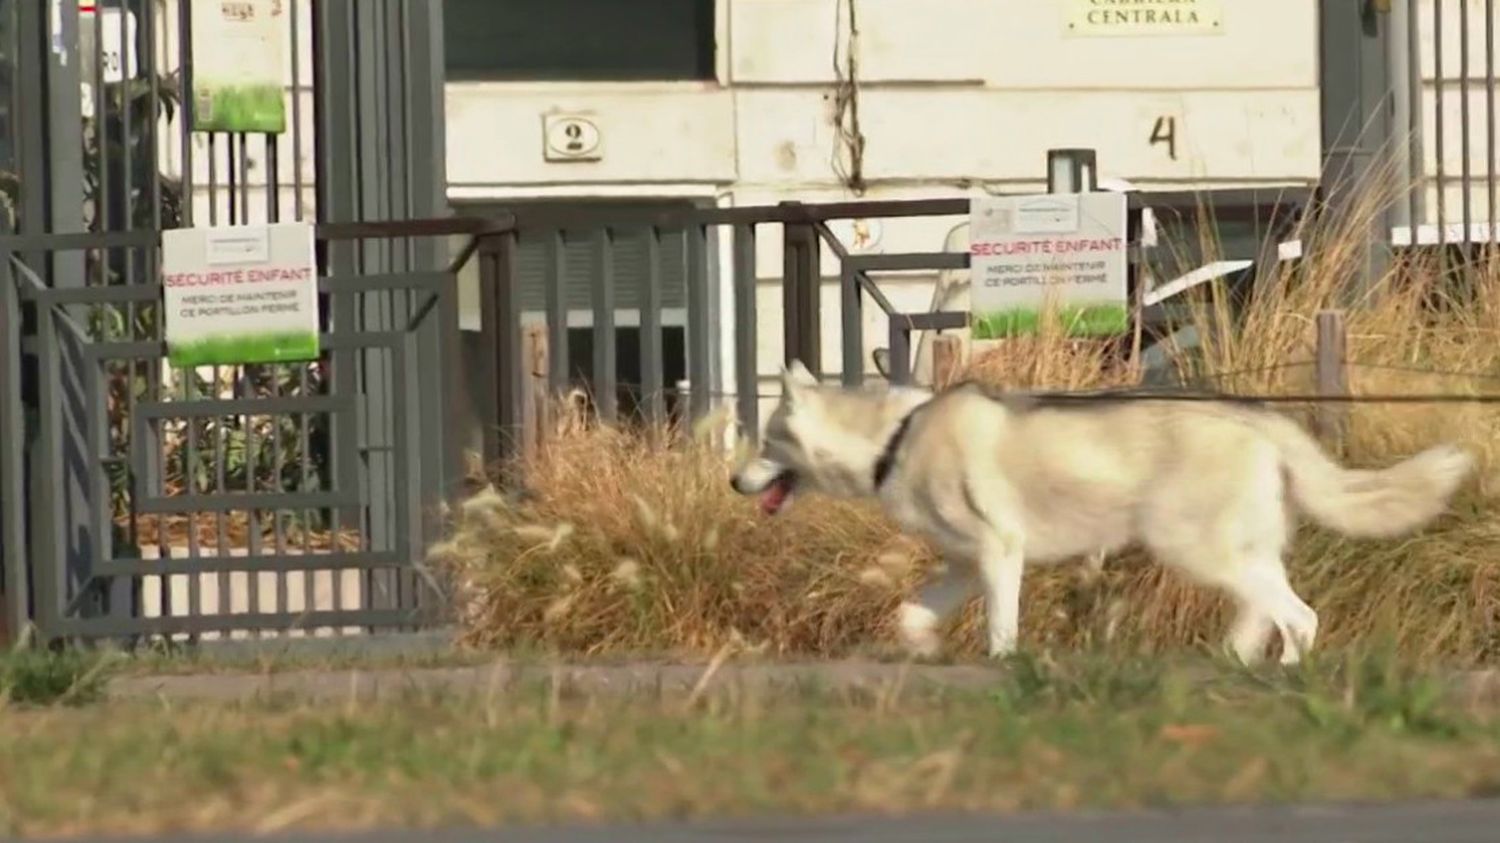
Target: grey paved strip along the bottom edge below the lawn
{"x": 1448, "y": 823}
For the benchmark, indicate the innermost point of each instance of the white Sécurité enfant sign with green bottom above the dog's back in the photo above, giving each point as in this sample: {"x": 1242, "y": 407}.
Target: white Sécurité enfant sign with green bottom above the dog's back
{"x": 1060, "y": 254}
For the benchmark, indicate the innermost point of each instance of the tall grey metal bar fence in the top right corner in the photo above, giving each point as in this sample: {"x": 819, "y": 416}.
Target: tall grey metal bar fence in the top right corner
{"x": 1414, "y": 83}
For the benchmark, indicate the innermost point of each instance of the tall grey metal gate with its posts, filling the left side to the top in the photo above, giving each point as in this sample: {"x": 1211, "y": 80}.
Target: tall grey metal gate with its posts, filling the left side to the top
{"x": 140, "y": 500}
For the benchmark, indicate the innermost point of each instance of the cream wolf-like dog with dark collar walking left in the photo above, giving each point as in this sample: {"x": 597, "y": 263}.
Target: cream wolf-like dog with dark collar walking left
{"x": 1000, "y": 482}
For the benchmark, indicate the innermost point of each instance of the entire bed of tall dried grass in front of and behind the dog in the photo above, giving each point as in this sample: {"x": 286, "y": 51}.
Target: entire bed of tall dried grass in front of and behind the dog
{"x": 629, "y": 545}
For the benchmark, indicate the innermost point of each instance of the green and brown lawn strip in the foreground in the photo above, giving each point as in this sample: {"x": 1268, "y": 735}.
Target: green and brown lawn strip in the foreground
{"x": 1090, "y": 733}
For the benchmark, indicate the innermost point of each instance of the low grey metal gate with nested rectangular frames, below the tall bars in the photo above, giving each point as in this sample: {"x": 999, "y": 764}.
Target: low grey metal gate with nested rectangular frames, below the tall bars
{"x": 137, "y": 506}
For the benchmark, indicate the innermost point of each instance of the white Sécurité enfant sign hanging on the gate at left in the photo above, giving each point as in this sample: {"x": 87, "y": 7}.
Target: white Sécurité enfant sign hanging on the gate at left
{"x": 241, "y": 295}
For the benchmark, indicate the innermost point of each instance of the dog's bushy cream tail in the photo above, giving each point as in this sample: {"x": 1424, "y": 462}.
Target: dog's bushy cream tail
{"x": 1367, "y": 503}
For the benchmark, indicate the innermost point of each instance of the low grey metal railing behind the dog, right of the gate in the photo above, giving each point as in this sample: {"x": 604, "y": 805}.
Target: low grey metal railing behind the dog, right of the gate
{"x": 1247, "y": 221}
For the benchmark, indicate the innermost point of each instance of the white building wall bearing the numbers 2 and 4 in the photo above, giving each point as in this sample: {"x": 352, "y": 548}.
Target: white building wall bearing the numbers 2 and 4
{"x": 956, "y": 97}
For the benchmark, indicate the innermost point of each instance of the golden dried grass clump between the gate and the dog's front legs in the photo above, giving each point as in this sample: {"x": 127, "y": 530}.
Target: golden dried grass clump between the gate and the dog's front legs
{"x": 628, "y": 545}
